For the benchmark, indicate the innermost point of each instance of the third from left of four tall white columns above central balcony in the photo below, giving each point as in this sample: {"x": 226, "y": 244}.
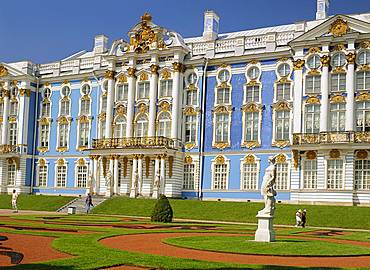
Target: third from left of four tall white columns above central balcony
{"x": 153, "y": 100}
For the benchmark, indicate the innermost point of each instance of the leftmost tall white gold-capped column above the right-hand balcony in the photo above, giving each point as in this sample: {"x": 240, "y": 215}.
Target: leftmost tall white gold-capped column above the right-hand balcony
{"x": 297, "y": 105}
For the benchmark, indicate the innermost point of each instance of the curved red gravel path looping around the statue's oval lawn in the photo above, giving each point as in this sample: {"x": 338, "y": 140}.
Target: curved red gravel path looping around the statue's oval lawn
{"x": 152, "y": 244}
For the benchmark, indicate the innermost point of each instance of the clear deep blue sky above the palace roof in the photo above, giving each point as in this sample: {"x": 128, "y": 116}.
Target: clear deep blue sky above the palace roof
{"x": 49, "y": 30}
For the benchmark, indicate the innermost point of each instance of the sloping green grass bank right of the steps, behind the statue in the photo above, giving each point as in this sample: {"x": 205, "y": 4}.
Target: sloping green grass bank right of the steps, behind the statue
{"x": 317, "y": 215}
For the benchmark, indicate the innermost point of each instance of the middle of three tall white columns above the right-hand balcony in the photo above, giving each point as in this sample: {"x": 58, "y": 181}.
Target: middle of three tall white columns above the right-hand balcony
{"x": 325, "y": 94}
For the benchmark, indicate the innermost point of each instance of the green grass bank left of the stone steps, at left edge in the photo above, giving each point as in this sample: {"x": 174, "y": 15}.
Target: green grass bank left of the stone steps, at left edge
{"x": 36, "y": 202}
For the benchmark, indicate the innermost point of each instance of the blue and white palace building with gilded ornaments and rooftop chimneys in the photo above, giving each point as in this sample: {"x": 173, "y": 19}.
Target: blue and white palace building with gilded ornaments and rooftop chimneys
{"x": 196, "y": 117}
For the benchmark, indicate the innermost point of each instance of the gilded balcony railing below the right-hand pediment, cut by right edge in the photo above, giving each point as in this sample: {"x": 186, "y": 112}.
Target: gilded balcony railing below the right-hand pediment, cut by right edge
{"x": 331, "y": 137}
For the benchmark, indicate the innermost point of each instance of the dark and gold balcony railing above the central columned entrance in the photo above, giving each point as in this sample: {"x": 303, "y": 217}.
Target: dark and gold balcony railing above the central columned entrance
{"x": 136, "y": 142}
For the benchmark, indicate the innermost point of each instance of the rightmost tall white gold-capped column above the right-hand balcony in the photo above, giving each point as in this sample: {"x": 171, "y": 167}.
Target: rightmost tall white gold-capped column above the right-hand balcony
{"x": 350, "y": 86}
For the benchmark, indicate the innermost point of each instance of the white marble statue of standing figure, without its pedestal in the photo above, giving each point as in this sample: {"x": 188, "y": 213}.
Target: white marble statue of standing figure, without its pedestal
{"x": 267, "y": 189}
